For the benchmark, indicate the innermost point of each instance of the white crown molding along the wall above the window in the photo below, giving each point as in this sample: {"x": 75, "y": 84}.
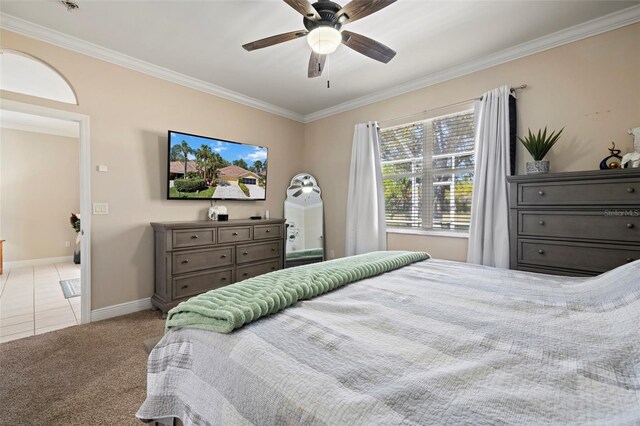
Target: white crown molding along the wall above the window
{"x": 619, "y": 19}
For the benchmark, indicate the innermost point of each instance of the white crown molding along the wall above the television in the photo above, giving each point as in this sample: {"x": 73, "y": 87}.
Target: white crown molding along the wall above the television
{"x": 57, "y": 38}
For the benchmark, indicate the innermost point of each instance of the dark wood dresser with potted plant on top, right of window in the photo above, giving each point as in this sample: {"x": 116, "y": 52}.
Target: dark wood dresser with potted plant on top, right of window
{"x": 578, "y": 223}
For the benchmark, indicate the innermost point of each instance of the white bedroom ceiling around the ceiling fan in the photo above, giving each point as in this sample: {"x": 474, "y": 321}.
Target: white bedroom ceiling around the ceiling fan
{"x": 203, "y": 39}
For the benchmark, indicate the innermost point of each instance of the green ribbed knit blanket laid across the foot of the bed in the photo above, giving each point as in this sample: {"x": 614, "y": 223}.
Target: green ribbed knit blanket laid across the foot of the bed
{"x": 227, "y": 308}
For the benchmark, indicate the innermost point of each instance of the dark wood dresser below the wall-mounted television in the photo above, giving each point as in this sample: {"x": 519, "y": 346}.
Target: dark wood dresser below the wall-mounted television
{"x": 194, "y": 257}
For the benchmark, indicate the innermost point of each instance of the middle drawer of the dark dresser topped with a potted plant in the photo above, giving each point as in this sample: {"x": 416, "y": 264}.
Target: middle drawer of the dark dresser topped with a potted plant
{"x": 587, "y": 225}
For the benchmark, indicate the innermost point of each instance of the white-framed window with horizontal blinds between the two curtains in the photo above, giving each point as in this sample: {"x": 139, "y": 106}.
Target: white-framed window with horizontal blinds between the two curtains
{"x": 427, "y": 173}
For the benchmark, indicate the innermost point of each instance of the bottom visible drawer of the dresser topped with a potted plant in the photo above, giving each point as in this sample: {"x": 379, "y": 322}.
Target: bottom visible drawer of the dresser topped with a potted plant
{"x": 578, "y": 256}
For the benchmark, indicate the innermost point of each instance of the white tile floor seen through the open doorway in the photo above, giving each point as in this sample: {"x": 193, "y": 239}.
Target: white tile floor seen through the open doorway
{"x": 32, "y": 302}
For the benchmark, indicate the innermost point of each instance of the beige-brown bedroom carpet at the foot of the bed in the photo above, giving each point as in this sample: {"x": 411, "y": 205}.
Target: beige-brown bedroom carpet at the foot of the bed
{"x": 91, "y": 374}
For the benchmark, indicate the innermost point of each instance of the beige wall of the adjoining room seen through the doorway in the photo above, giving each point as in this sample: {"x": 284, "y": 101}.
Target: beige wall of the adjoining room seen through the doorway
{"x": 39, "y": 188}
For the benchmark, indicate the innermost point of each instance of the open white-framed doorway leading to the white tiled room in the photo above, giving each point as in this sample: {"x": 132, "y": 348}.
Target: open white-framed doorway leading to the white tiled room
{"x": 52, "y": 280}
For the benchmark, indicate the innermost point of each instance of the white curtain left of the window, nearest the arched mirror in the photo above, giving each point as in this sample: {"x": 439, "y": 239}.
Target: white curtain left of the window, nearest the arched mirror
{"x": 366, "y": 228}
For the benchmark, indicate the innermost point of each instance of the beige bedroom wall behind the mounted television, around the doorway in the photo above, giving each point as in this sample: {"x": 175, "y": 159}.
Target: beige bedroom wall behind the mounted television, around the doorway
{"x": 130, "y": 114}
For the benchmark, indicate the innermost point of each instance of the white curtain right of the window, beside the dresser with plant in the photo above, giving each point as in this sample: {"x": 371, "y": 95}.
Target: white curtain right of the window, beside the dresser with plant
{"x": 489, "y": 233}
